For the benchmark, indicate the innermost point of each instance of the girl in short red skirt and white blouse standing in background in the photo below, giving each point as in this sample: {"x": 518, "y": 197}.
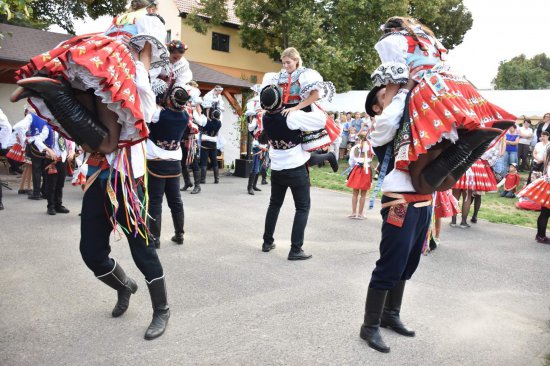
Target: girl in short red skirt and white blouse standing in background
{"x": 360, "y": 178}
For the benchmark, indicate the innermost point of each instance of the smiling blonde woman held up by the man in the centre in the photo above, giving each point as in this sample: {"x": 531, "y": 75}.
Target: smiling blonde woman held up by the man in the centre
{"x": 302, "y": 87}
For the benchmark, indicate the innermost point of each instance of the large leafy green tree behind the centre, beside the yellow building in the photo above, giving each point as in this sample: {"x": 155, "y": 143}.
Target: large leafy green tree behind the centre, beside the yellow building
{"x": 336, "y": 37}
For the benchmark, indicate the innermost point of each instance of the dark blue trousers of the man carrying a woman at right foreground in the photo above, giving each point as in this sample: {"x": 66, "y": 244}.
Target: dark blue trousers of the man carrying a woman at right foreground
{"x": 400, "y": 247}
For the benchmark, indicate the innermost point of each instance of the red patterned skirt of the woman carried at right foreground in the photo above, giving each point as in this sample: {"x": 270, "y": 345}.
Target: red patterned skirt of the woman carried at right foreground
{"x": 434, "y": 118}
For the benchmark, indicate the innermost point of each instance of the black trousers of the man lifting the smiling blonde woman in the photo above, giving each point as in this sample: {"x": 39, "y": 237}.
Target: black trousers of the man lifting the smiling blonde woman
{"x": 297, "y": 180}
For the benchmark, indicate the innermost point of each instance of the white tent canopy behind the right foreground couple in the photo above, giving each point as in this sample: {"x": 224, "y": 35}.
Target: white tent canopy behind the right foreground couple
{"x": 529, "y": 103}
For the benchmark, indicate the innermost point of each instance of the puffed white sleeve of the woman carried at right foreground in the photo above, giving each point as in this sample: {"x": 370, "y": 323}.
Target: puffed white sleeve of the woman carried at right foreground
{"x": 392, "y": 50}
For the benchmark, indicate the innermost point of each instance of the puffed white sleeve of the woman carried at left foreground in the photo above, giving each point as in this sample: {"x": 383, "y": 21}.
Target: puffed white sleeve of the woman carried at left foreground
{"x": 151, "y": 29}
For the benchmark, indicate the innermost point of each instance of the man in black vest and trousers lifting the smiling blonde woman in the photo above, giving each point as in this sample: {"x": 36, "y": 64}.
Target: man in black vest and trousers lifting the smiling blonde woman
{"x": 288, "y": 167}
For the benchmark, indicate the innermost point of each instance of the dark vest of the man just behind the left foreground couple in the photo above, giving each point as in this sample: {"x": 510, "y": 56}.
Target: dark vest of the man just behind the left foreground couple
{"x": 168, "y": 131}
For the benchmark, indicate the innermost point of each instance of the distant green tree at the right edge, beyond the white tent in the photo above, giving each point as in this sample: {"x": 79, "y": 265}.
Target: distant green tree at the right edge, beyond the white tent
{"x": 522, "y": 73}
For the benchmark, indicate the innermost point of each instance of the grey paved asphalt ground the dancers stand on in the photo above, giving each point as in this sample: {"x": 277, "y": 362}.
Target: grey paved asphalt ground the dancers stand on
{"x": 481, "y": 299}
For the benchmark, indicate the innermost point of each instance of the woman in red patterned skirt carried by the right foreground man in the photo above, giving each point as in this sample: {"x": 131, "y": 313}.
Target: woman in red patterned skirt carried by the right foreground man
{"x": 448, "y": 124}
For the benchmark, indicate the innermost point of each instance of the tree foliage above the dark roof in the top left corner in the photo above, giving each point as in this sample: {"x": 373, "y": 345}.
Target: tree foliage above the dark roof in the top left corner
{"x": 43, "y": 13}
